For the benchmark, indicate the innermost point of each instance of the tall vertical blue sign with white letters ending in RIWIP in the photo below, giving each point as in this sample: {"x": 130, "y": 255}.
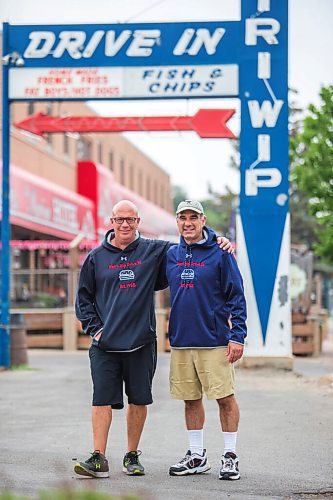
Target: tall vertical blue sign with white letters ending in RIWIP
{"x": 263, "y": 222}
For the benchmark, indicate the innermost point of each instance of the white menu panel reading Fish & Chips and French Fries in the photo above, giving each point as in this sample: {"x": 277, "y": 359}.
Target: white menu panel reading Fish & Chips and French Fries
{"x": 119, "y": 82}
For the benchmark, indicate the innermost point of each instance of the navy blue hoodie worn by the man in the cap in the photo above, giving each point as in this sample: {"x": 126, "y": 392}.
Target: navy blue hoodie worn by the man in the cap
{"x": 206, "y": 290}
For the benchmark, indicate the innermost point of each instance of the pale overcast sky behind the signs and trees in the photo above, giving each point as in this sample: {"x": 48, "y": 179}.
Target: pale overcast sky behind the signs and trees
{"x": 193, "y": 162}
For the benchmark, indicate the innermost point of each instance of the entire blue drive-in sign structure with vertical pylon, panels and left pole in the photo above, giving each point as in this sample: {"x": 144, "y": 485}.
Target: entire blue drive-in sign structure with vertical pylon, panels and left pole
{"x": 245, "y": 58}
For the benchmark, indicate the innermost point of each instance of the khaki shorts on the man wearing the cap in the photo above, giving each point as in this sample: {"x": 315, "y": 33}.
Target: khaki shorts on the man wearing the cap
{"x": 197, "y": 371}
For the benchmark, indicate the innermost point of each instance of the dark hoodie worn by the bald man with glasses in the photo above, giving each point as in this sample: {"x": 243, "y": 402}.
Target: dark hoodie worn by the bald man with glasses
{"x": 116, "y": 293}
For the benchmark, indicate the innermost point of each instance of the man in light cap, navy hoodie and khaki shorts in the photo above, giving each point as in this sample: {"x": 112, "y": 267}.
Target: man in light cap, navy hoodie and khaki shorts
{"x": 206, "y": 332}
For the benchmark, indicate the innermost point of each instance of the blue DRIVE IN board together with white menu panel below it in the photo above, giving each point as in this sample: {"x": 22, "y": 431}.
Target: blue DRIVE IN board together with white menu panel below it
{"x": 126, "y": 61}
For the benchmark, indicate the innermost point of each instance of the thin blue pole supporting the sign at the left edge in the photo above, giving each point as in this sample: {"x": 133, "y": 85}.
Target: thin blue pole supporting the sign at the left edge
{"x": 5, "y": 224}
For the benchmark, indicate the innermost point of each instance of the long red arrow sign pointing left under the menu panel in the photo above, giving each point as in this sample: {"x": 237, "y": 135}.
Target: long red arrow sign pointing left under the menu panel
{"x": 208, "y": 123}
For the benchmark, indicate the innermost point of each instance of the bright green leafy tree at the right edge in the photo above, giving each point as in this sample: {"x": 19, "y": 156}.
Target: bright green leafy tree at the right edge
{"x": 311, "y": 154}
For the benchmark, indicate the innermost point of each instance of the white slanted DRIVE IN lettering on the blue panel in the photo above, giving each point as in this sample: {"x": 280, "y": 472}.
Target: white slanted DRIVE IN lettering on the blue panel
{"x": 139, "y": 43}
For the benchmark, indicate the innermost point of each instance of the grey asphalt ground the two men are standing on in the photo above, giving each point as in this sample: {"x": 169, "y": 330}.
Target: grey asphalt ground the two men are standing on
{"x": 285, "y": 440}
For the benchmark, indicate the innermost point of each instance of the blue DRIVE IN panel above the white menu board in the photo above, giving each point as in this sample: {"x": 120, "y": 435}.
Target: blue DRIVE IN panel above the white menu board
{"x": 148, "y": 44}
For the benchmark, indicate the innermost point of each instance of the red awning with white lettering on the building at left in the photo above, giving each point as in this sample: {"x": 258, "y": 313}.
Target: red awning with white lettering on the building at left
{"x": 39, "y": 205}
